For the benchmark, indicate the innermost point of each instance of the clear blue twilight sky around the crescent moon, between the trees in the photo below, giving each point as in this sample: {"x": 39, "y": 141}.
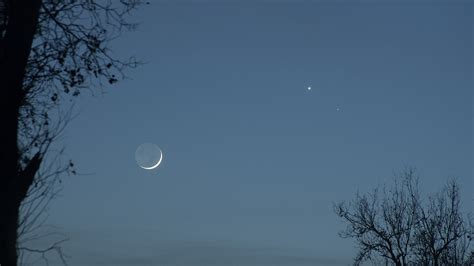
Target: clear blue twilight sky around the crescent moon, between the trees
{"x": 253, "y": 160}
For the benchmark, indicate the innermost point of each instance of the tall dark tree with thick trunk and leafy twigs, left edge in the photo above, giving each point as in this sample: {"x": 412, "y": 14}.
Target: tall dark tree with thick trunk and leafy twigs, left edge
{"x": 50, "y": 50}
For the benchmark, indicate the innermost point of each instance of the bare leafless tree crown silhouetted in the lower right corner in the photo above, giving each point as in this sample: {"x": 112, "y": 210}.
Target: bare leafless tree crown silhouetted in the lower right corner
{"x": 397, "y": 226}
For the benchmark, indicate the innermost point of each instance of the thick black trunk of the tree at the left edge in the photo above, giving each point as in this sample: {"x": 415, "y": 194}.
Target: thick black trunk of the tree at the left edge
{"x": 14, "y": 182}
